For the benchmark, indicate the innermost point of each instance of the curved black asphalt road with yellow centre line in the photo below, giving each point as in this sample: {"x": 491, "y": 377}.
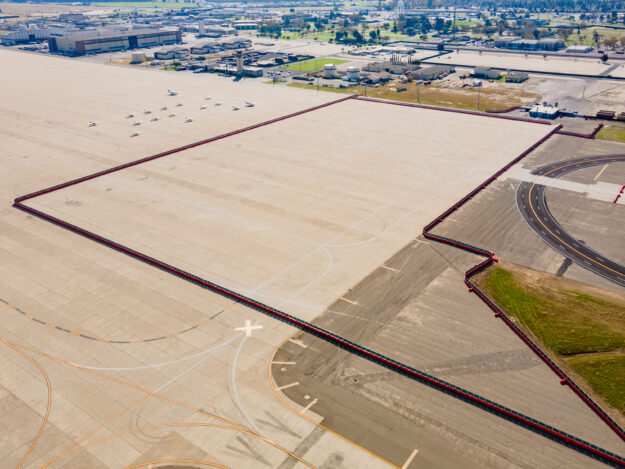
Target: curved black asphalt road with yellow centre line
{"x": 532, "y": 204}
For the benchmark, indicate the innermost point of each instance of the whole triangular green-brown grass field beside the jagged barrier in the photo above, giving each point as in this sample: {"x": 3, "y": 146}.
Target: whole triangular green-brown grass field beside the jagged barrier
{"x": 585, "y": 331}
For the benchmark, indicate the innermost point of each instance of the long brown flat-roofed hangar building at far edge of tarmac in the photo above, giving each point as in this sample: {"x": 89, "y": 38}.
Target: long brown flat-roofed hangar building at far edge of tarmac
{"x": 109, "y": 41}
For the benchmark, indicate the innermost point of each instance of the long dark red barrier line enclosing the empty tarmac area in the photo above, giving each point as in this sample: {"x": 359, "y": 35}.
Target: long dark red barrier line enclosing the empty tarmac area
{"x": 493, "y": 407}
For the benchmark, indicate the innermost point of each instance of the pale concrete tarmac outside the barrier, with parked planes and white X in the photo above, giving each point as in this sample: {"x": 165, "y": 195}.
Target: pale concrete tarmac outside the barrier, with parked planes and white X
{"x": 144, "y": 387}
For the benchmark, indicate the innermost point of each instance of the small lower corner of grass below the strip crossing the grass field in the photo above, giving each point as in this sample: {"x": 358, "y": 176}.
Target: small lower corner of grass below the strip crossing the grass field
{"x": 606, "y": 375}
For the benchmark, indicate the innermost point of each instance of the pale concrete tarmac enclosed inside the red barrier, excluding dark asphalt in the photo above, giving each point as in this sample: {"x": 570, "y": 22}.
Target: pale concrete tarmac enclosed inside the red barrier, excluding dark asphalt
{"x": 302, "y": 208}
